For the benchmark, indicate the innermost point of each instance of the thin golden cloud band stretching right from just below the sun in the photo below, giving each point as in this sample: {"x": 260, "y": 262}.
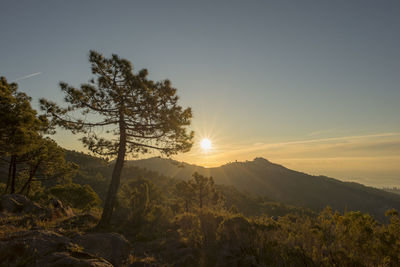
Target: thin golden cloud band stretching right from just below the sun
{"x": 376, "y": 145}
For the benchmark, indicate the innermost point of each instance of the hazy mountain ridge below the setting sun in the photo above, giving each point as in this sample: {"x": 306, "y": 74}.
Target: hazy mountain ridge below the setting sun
{"x": 264, "y": 178}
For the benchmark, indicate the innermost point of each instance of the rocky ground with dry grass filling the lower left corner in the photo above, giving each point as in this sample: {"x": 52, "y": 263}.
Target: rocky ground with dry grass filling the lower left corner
{"x": 33, "y": 235}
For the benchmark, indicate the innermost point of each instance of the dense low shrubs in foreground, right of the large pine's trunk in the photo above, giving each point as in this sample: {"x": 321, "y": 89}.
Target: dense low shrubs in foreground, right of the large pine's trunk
{"x": 219, "y": 235}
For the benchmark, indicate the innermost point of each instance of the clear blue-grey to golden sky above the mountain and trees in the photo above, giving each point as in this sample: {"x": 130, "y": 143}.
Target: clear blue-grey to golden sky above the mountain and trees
{"x": 311, "y": 85}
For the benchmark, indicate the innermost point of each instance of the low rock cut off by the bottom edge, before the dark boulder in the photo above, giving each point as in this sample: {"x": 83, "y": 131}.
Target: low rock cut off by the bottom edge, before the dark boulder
{"x": 60, "y": 259}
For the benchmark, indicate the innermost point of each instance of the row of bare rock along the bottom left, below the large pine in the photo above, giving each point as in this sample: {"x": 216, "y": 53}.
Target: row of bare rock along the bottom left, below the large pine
{"x": 47, "y": 248}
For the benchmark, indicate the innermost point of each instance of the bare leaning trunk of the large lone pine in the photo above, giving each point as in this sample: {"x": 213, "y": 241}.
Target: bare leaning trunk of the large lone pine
{"x": 115, "y": 179}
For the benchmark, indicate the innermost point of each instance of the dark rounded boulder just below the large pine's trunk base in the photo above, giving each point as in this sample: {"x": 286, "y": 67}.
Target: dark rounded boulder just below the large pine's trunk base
{"x": 111, "y": 246}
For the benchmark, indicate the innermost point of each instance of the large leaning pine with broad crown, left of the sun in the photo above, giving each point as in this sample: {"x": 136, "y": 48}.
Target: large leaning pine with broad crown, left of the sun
{"x": 142, "y": 115}
